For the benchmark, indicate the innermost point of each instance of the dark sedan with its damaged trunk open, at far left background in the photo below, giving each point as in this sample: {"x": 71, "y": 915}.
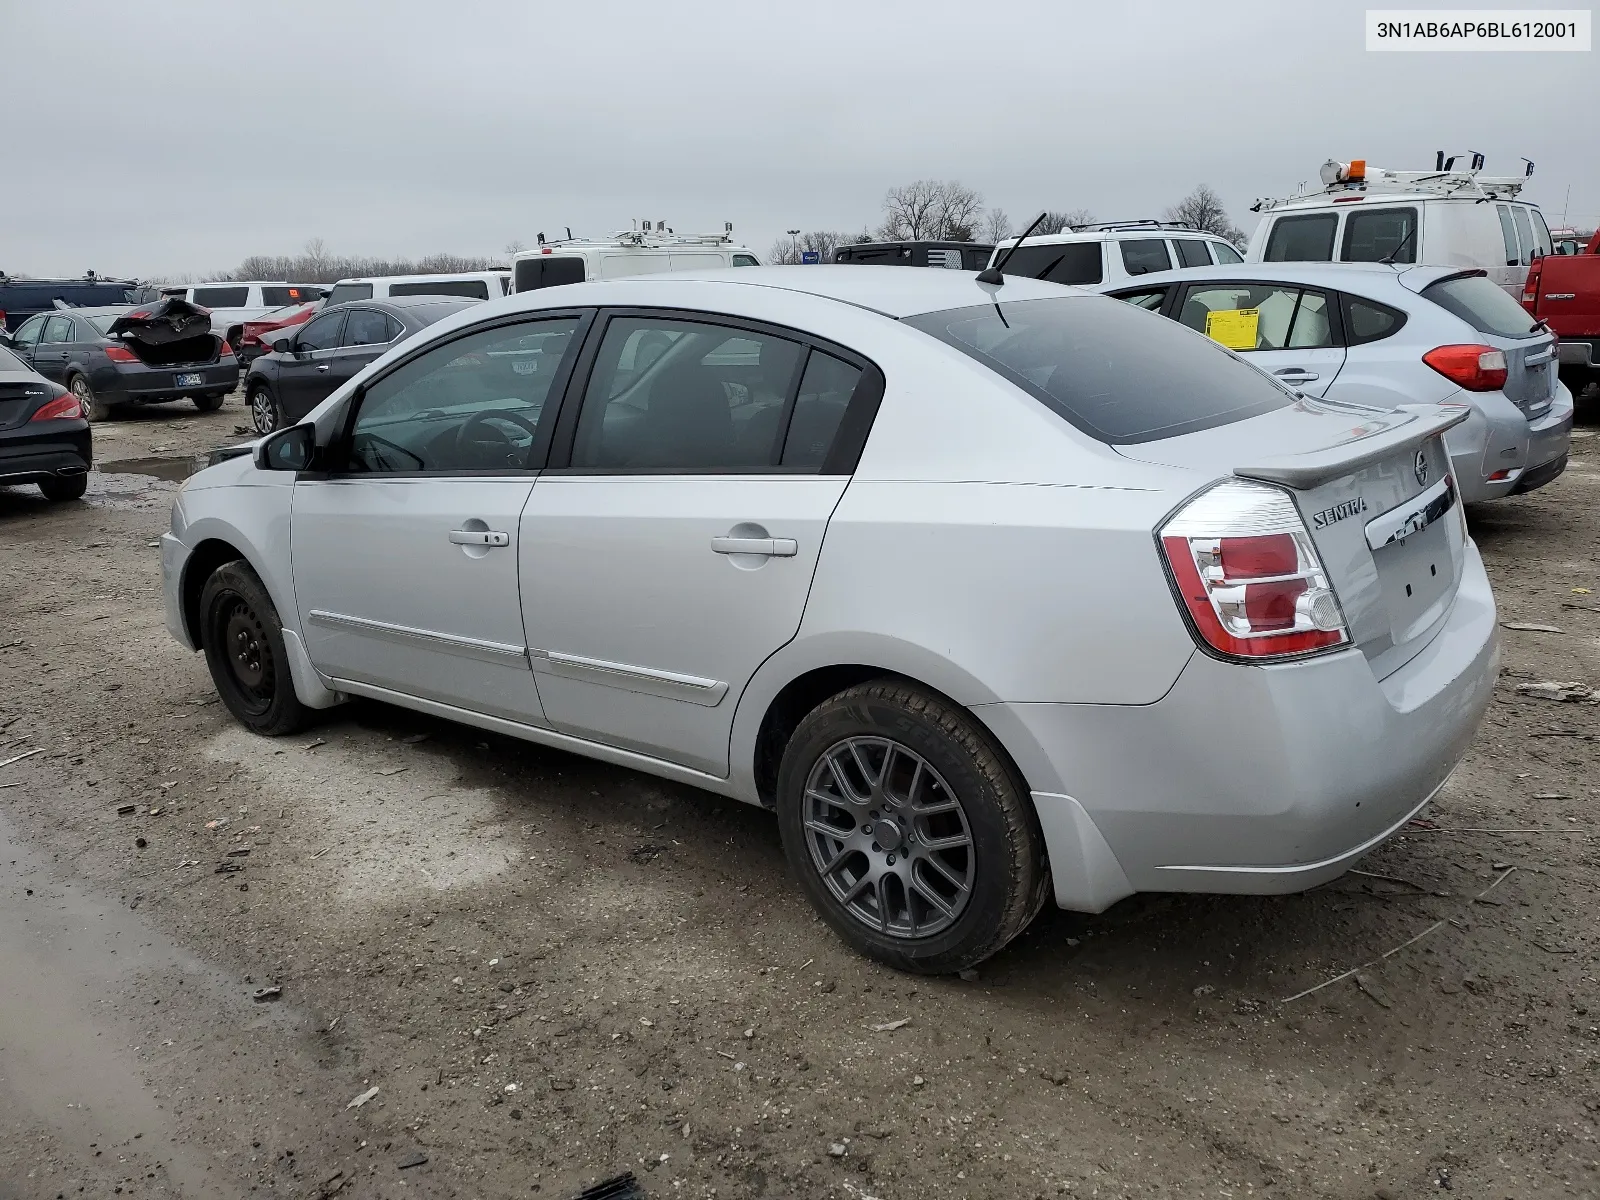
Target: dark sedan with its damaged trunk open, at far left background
{"x": 142, "y": 356}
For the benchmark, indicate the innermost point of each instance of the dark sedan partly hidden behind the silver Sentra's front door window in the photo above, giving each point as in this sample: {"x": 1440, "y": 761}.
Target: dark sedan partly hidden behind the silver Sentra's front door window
{"x": 310, "y": 364}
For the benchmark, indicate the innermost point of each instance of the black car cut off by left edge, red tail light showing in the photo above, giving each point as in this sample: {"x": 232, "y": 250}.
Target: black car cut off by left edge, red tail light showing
{"x": 44, "y": 434}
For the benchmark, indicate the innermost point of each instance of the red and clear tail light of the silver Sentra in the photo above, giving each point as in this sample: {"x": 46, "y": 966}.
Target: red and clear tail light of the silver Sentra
{"x": 1250, "y": 577}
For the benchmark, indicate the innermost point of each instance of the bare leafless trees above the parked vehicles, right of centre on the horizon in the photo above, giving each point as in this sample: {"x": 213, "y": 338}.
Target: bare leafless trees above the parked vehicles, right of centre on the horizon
{"x": 946, "y": 210}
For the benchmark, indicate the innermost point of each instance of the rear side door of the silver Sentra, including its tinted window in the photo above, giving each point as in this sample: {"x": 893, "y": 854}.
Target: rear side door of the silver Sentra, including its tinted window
{"x": 670, "y": 548}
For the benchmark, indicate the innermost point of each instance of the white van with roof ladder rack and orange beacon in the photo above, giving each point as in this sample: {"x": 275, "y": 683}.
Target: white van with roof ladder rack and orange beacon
{"x": 1441, "y": 218}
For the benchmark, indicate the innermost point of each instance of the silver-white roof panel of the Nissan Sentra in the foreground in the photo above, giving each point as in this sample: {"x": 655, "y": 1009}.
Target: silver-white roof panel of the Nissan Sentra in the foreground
{"x": 895, "y": 292}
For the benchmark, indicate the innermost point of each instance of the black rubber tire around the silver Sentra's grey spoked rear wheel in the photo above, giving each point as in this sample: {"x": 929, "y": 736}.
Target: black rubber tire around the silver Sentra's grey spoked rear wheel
{"x": 1009, "y": 878}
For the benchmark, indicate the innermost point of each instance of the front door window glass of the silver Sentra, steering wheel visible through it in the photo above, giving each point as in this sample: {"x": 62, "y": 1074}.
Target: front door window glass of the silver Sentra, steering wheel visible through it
{"x": 473, "y": 404}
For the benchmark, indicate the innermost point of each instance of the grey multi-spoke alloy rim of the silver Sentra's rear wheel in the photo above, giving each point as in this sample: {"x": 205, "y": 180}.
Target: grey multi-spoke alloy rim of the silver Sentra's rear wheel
{"x": 889, "y": 838}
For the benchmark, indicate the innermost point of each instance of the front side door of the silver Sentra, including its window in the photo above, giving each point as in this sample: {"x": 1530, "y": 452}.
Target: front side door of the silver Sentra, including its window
{"x": 406, "y": 548}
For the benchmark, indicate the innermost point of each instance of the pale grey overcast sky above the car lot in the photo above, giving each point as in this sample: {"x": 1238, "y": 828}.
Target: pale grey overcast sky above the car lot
{"x": 164, "y": 138}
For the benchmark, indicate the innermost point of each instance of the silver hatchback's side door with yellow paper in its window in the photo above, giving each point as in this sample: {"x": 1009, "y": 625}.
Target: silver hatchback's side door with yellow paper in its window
{"x": 1287, "y": 330}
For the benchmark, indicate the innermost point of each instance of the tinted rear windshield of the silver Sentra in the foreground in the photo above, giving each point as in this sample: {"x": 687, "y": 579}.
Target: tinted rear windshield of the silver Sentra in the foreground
{"x": 1118, "y": 374}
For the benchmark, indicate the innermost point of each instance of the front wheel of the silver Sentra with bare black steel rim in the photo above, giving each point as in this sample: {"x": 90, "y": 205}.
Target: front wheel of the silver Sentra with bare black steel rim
{"x": 244, "y": 647}
